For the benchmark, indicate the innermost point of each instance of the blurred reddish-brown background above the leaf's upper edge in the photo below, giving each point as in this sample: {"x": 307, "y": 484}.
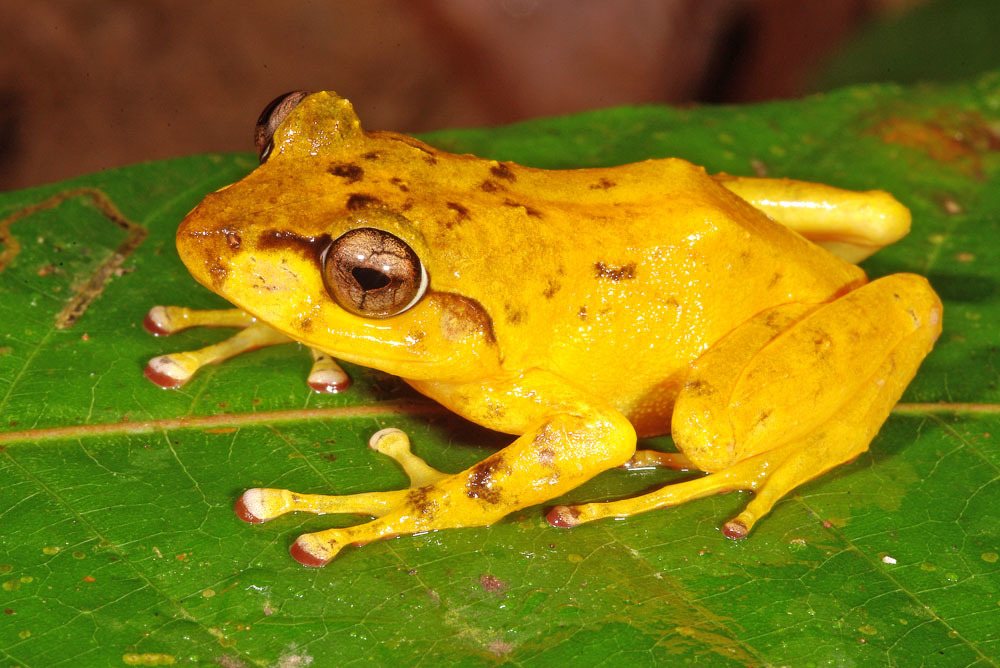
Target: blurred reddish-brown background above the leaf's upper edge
{"x": 92, "y": 84}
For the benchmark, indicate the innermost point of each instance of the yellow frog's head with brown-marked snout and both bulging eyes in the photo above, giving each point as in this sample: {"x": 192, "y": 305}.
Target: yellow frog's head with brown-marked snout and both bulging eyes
{"x": 290, "y": 245}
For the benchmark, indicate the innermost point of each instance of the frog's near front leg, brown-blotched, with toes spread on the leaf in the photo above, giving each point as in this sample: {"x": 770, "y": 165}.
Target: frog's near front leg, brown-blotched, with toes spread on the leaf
{"x": 555, "y": 454}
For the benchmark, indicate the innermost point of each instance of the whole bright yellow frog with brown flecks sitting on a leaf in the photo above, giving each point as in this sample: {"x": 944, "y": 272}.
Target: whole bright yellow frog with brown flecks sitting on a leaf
{"x": 576, "y": 310}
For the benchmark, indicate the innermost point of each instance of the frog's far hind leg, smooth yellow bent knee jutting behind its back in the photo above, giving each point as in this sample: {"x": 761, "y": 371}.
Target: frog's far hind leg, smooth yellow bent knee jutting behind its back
{"x": 849, "y": 224}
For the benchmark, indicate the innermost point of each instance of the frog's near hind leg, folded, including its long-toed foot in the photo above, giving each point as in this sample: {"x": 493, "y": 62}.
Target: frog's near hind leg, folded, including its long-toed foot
{"x": 766, "y": 412}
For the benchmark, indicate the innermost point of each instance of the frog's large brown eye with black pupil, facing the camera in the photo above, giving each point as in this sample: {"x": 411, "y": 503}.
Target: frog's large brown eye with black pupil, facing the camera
{"x": 373, "y": 273}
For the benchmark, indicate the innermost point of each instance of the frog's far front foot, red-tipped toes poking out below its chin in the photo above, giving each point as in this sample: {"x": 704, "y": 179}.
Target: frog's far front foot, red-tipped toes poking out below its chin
{"x": 175, "y": 369}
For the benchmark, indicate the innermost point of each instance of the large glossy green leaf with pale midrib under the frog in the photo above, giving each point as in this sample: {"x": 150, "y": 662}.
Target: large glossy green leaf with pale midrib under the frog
{"x": 118, "y": 545}
